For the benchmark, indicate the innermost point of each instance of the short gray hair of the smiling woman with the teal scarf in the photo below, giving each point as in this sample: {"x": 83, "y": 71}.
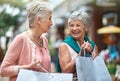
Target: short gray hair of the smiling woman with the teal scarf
{"x": 80, "y": 15}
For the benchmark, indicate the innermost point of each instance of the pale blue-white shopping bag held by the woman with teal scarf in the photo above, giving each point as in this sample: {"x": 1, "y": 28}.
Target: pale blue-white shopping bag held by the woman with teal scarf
{"x": 92, "y": 70}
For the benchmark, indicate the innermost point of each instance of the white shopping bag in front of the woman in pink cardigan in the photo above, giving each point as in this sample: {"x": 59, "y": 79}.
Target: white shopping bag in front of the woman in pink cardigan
{"x": 29, "y": 75}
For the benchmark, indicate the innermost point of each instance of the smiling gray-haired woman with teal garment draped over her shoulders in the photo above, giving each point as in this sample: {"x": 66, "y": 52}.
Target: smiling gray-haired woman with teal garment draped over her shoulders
{"x": 72, "y": 45}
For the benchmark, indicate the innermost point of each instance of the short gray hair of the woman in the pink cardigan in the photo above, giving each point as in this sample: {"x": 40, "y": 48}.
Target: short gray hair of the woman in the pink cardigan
{"x": 36, "y": 8}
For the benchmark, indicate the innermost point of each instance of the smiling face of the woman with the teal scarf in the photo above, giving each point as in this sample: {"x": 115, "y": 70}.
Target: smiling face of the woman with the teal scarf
{"x": 77, "y": 29}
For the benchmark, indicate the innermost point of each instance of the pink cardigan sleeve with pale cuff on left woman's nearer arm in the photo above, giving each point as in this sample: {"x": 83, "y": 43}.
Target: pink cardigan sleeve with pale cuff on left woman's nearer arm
{"x": 9, "y": 65}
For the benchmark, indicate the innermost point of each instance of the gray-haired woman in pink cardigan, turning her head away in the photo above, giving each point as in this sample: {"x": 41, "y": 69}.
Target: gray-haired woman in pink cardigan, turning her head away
{"x": 30, "y": 48}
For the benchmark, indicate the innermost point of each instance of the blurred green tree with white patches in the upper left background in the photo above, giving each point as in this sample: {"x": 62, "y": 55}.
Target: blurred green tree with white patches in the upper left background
{"x": 10, "y": 15}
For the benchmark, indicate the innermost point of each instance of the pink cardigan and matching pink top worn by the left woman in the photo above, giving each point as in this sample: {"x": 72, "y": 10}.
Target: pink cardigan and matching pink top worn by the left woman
{"x": 23, "y": 51}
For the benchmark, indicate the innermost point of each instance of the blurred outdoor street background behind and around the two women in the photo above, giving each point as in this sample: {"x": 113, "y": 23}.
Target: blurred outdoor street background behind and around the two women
{"x": 104, "y": 27}
